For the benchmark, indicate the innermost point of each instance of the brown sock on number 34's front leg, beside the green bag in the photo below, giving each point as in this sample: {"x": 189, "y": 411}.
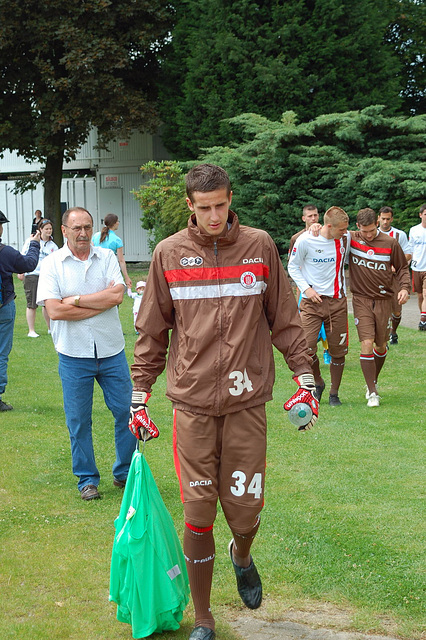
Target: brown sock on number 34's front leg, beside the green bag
{"x": 199, "y": 550}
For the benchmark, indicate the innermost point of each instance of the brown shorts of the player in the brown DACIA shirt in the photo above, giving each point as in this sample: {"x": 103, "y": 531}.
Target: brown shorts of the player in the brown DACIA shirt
{"x": 372, "y": 318}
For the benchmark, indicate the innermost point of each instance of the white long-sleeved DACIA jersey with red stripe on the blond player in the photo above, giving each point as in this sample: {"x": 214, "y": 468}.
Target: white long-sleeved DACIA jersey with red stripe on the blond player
{"x": 319, "y": 263}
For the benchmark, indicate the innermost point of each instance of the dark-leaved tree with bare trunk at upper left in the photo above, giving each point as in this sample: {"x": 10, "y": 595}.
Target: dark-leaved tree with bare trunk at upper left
{"x": 68, "y": 66}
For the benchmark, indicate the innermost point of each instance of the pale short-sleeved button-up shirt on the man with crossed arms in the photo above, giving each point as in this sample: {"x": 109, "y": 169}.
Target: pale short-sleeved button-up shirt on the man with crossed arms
{"x": 62, "y": 274}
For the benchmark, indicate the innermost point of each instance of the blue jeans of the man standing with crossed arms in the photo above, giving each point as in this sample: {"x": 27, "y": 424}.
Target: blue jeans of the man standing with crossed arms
{"x": 77, "y": 377}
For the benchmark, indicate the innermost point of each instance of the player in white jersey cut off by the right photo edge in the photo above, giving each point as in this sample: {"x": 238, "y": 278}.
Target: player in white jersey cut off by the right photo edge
{"x": 417, "y": 239}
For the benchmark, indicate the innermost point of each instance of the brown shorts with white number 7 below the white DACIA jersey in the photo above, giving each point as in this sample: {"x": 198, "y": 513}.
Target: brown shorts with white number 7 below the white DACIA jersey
{"x": 334, "y": 313}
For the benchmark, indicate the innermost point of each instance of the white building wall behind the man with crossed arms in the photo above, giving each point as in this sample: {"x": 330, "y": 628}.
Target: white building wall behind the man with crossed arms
{"x": 116, "y": 174}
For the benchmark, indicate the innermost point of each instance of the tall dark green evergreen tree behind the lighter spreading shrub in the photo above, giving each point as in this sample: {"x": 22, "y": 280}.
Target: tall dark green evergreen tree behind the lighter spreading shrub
{"x": 310, "y": 56}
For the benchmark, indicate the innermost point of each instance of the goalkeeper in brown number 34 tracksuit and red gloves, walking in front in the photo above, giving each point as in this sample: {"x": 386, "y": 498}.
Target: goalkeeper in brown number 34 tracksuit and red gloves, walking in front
{"x": 220, "y": 289}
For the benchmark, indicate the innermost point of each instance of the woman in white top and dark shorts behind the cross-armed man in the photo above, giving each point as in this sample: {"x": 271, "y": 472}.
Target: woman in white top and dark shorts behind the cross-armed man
{"x": 31, "y": 279}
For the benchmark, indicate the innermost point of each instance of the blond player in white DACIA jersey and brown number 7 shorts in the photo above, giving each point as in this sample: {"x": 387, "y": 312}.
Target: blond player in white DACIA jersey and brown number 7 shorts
{"x": 317, "y": 267}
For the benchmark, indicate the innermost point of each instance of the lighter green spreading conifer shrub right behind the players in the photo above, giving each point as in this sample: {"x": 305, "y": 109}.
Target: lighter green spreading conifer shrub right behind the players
{"x": 353, "y": 160}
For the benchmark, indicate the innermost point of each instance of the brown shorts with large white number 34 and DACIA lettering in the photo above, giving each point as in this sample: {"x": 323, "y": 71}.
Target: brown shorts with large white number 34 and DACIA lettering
{"x": 221, "y": 457}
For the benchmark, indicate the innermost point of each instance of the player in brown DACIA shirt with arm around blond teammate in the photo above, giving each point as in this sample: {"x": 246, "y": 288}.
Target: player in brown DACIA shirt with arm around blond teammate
{"x": 374, "y": 258}
